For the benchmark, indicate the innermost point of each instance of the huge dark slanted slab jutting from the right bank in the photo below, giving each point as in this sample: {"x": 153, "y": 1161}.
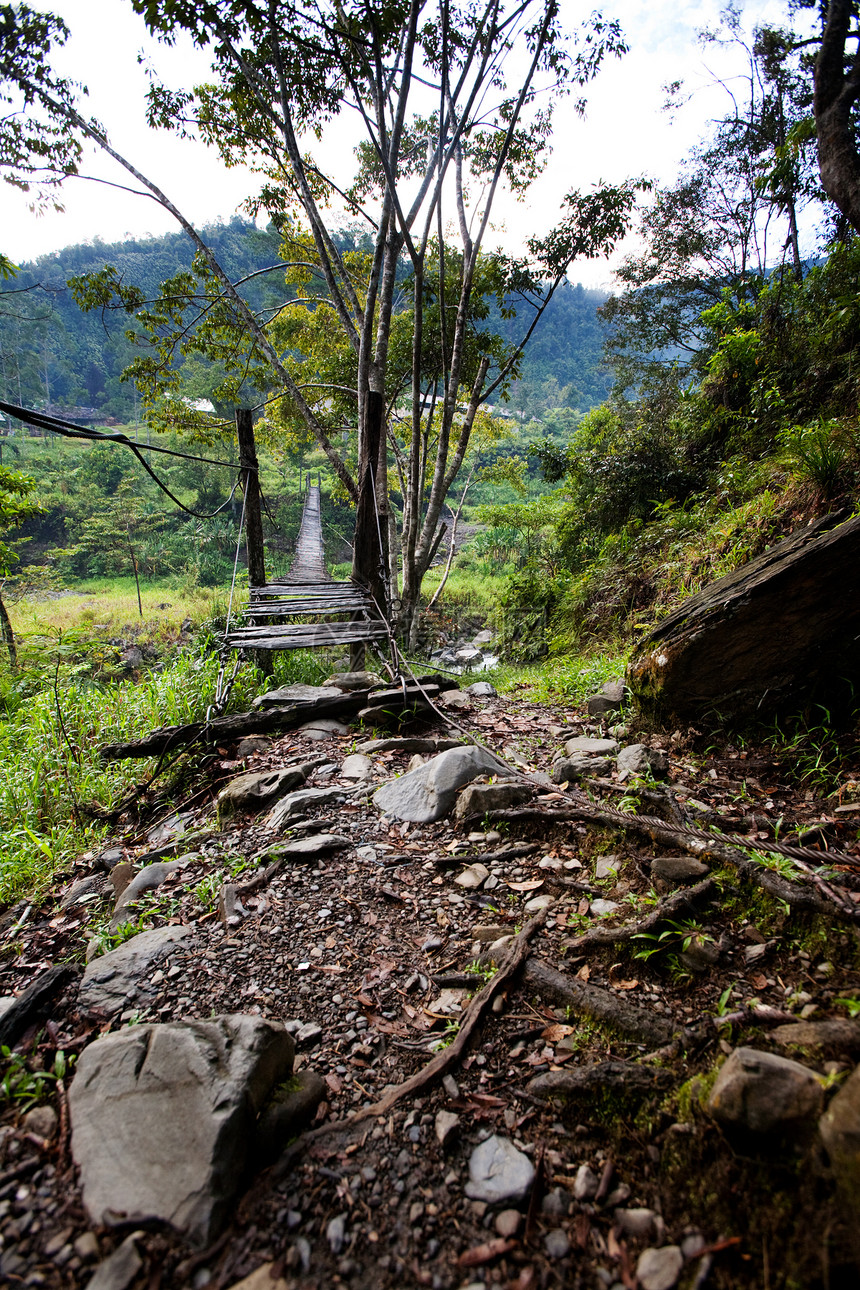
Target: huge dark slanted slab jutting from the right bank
{"x": 783, "y": 629}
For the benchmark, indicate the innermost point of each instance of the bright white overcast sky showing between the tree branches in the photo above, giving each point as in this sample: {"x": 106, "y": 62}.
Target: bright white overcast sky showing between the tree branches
{"x": 625, "y": 132}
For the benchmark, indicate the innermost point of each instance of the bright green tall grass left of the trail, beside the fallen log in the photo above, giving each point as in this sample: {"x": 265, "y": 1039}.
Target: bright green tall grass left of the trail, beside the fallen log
{"x": 55, "y": 719}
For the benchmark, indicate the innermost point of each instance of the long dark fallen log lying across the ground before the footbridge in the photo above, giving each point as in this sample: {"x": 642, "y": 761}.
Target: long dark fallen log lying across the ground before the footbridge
{"x": 265, "y": 722}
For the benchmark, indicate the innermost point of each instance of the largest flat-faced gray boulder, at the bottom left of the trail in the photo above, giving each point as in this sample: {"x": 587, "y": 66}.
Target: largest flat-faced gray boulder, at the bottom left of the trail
{"x": 163, "y": 1118}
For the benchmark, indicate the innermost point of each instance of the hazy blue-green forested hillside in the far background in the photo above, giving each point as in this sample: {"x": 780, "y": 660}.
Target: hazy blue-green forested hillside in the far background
{"x": 54, "y": 353}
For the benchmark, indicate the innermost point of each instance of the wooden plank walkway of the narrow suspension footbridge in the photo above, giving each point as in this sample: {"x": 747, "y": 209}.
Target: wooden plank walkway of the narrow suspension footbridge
{"x": 309, "y": 593}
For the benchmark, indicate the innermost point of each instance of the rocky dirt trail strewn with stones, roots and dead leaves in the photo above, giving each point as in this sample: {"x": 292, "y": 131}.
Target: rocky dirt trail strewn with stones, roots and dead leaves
{"x": 573, "y": 1018}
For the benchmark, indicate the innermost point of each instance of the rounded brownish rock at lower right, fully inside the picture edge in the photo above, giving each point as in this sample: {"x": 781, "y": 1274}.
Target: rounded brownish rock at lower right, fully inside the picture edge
{"x": 764, "y": 1093}
